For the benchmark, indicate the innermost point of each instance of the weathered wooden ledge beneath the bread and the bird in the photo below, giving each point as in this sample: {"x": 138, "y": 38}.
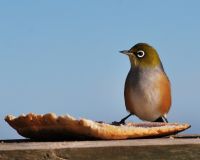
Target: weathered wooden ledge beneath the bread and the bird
{"x": 179, "y": 148}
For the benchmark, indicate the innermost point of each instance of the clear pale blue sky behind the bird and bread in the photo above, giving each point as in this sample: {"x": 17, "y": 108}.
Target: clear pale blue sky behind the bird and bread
{"x": 62, "y": 56}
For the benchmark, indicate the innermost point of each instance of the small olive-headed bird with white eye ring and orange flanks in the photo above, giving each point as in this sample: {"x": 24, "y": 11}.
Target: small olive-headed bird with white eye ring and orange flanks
{"x": 147, "y": 90}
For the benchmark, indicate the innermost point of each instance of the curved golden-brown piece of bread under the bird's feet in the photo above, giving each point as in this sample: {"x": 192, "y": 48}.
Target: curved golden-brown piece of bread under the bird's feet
{"x": 51, "y": 126}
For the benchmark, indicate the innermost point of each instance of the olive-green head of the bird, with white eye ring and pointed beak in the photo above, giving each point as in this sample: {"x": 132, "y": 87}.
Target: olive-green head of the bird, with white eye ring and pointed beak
{"x": 143, "y": 55}
